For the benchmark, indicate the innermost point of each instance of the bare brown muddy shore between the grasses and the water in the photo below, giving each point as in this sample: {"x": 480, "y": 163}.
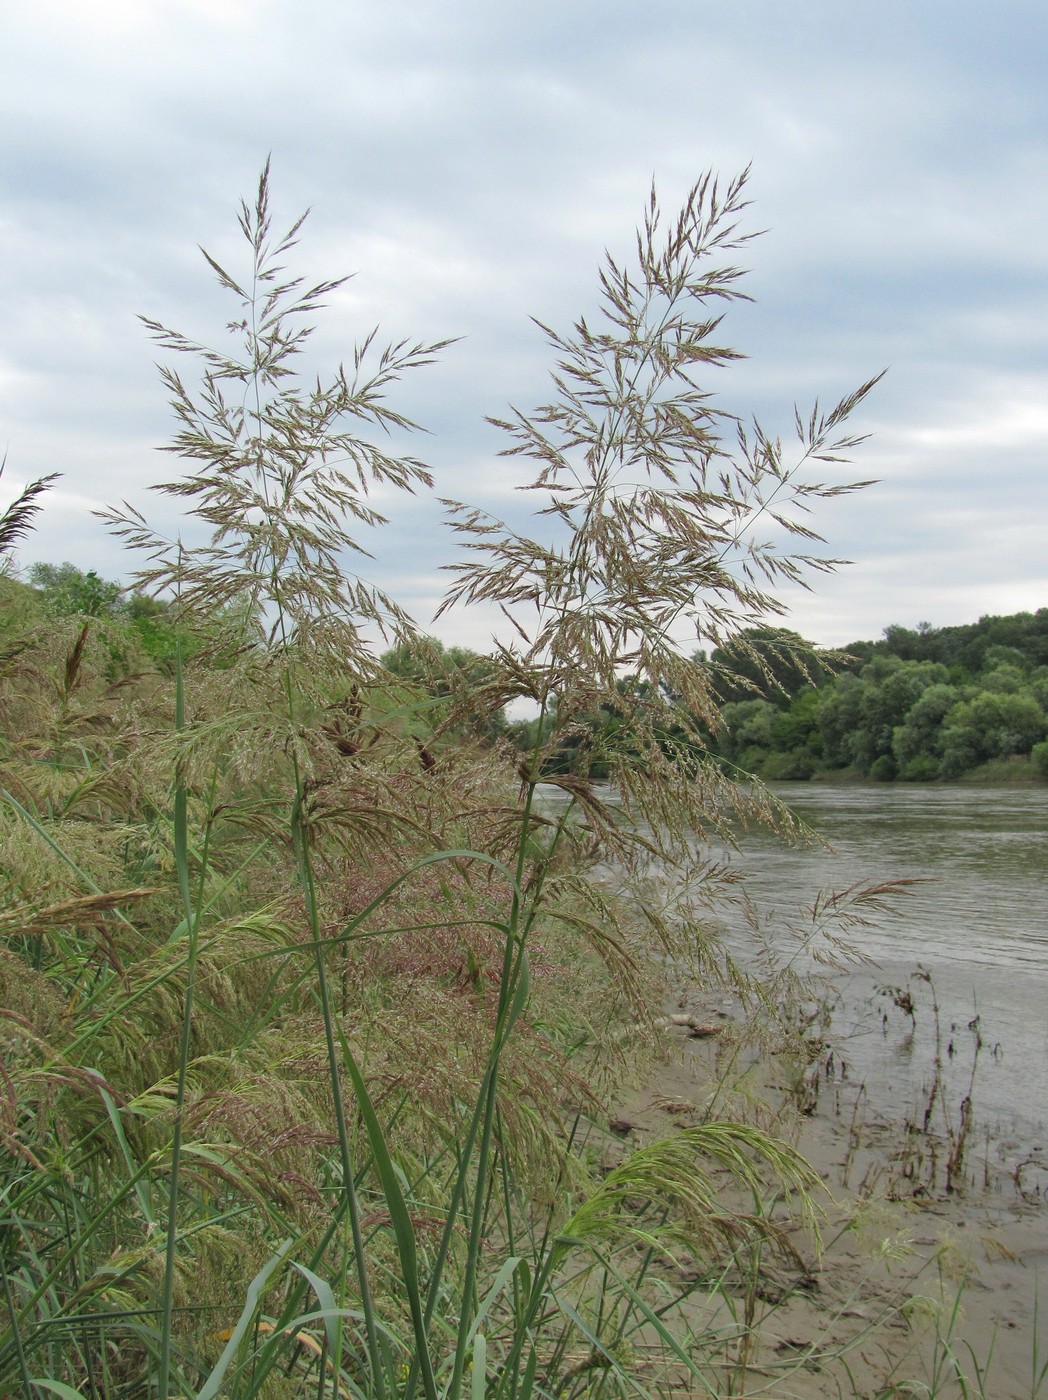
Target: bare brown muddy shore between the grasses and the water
{"x": 912, "y": 1289}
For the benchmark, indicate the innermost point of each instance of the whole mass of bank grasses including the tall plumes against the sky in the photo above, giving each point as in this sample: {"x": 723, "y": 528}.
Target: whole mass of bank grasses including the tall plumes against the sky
{"x": 311, "y": 1006}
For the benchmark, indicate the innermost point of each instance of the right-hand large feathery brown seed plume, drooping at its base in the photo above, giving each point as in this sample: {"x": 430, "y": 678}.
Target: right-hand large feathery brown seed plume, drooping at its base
{"x": 670, "y": 527}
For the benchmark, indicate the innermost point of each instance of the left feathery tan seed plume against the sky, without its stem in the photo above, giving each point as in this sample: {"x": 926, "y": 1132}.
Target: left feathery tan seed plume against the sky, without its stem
{"x": 279, "y": 464}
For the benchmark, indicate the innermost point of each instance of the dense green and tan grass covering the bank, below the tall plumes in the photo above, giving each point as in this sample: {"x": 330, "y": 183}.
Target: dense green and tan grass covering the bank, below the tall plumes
{"x": 299, "y": 1065}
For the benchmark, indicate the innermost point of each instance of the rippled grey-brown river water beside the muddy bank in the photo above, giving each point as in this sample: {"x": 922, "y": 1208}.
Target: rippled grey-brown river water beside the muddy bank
{"x": 977, "y": 923}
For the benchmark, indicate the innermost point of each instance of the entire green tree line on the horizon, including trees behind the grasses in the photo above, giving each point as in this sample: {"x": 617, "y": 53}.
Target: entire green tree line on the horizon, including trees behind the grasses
{"x": 919, "y": 705}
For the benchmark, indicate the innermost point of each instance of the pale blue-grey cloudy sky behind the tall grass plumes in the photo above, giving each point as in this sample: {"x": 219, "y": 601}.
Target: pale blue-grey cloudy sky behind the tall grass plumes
{"x": 469, "y": 163}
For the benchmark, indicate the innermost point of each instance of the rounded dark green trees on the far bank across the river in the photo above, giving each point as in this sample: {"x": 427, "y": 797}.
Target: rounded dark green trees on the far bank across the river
{"x": 919, "y": 706}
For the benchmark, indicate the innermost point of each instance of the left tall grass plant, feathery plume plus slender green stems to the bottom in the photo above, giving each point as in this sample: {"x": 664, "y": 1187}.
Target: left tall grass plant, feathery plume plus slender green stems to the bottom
{"x": 281, "y": 474}
